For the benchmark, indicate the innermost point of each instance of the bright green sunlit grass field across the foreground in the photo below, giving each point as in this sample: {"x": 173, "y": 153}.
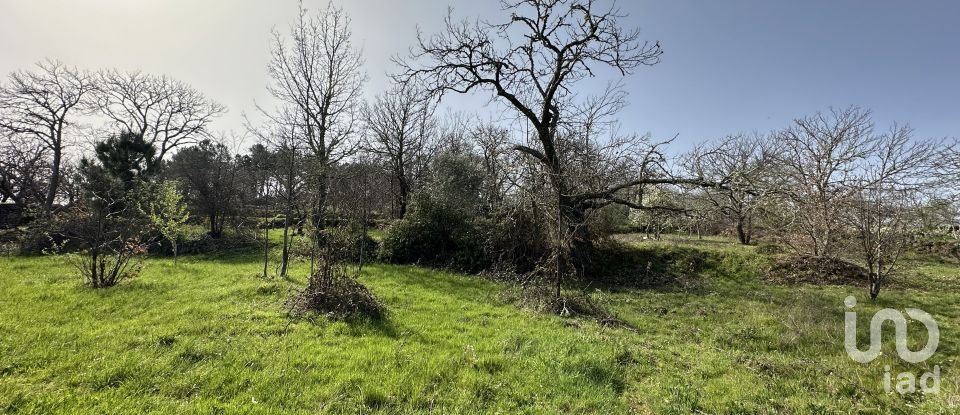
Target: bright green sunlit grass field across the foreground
{"x": 208, "y": 336}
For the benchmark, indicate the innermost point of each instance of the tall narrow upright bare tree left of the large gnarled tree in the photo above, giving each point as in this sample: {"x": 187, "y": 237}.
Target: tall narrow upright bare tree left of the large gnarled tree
{"x": 316, "y": 73}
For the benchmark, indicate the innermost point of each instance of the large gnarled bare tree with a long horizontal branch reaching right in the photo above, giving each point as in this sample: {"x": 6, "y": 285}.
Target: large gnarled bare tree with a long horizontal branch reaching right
{"x": 531, "y": 62}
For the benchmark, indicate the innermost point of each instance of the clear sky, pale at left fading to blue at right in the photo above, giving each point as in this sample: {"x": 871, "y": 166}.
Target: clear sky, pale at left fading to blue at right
{"x": 729, "y": 66}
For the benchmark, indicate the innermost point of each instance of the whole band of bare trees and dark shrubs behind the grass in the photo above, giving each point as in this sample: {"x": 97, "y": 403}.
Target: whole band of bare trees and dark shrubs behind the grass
{"x": 539, "y": 192}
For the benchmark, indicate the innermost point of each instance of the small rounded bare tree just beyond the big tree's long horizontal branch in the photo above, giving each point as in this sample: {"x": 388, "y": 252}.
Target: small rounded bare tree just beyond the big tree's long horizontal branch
{"x": 743, "y": 162}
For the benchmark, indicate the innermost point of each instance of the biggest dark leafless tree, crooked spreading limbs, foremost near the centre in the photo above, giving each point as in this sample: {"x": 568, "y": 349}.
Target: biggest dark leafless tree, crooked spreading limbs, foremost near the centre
{"x": 531, "y": 62}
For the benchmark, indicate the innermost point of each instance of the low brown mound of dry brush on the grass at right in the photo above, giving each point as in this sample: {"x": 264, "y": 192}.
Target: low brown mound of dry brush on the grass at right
{"x": 817, "y": 270}
